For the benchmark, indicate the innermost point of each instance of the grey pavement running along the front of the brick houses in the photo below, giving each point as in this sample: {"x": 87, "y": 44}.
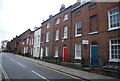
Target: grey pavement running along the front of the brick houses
{"x": 75, "y": 72}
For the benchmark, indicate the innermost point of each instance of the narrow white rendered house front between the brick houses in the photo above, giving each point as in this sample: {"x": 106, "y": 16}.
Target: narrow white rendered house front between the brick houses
{"x": 37, "y": 38}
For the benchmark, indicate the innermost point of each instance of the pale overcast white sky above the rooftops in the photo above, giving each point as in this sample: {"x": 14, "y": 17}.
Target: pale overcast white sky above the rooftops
{"x": 16, "y": 16}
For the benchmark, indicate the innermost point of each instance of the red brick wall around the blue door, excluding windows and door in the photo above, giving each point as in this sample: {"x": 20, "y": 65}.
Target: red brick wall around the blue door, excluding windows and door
{"x": 103, "y": 36}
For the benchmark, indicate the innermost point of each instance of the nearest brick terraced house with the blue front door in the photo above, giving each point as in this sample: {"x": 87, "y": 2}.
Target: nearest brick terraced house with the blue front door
{"x": 95, "y": 33}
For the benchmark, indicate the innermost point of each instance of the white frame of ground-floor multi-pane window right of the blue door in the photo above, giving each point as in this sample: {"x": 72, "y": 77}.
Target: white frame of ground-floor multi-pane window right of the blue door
{"x": 110, "y": 54}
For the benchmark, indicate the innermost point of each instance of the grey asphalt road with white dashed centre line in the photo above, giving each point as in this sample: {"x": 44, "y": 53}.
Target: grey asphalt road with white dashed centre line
{"x": 18, "y": 69}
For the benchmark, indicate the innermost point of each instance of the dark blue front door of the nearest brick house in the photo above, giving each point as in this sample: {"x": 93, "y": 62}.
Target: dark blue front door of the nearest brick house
{"x": 94, "y": 55}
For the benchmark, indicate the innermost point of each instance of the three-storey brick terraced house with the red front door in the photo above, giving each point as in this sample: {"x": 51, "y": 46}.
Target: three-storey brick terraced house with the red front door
{"x": 56, "y": 35}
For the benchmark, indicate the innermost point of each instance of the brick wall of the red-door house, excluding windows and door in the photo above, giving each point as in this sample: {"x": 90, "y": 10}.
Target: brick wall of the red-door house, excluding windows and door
{"x": 53, "y": 27}
